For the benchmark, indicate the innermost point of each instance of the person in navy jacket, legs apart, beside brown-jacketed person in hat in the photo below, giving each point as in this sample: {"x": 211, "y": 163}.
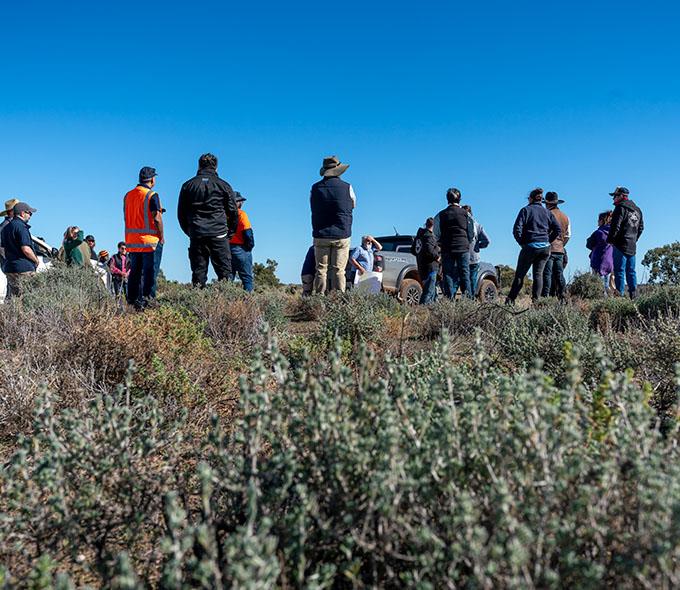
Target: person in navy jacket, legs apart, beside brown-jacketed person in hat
{"x": 535, "y": 229}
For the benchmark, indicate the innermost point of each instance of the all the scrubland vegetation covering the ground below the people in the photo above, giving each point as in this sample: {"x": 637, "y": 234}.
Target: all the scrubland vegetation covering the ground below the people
{"x": 223, "y": 440}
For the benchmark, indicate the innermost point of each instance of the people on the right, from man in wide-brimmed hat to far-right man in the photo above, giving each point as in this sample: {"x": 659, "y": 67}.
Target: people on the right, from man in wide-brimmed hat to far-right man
{"x": 448, "y": 247}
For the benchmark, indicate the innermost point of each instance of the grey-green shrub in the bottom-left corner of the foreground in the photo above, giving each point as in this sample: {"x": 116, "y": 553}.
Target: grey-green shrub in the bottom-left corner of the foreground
{"x": 88, "y": 481}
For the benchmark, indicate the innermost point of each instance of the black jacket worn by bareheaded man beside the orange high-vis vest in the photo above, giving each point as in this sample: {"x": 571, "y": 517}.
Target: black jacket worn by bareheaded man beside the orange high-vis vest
{"x": 207, "y": 207}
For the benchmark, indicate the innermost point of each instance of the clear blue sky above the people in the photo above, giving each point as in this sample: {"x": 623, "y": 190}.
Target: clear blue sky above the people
{"x": 493, "y": 98}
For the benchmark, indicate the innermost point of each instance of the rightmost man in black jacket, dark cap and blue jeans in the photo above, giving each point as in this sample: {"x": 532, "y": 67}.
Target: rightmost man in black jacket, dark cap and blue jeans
{"x": 625, "y": 229}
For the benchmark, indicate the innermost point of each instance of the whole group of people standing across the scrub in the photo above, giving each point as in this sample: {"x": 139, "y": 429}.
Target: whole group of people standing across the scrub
{"x": 210, "y": 213}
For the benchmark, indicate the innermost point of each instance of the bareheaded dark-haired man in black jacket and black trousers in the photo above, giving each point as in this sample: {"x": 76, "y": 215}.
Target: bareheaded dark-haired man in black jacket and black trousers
{"x": 208, "y": 214}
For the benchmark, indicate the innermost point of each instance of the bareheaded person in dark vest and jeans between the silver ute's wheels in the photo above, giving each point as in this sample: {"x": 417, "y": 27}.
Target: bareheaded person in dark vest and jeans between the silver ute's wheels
{"x": 454, "y": 229}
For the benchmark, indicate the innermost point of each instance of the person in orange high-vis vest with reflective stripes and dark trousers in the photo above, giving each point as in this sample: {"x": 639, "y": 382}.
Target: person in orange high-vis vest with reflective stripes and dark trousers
{"x": 143, "y": 233}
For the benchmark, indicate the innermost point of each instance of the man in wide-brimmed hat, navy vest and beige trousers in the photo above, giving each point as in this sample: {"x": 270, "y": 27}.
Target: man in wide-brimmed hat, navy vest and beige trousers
{"x": 332, "y": 201}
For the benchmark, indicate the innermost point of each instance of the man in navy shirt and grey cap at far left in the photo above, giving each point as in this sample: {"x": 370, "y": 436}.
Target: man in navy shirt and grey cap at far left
{"x": 20, "y": 258}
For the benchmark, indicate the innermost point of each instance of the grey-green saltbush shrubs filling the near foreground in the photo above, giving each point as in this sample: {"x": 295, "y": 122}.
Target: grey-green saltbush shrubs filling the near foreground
{"x": 446, "y": 476}
